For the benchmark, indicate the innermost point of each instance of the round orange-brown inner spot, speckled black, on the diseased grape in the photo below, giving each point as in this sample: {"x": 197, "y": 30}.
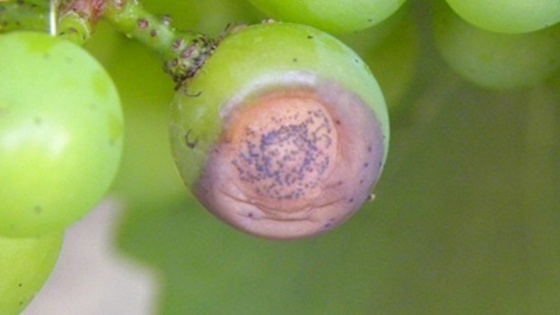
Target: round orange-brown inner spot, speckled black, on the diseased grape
{"x": 282, "y": 147}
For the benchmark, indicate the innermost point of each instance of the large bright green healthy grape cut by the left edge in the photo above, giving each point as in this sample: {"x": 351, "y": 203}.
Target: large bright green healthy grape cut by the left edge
{"x": 61, "y": 131}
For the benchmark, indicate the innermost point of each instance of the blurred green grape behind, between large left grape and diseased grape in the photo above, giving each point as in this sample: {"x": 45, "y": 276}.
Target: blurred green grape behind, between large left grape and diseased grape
{"x": 147, "y": 169}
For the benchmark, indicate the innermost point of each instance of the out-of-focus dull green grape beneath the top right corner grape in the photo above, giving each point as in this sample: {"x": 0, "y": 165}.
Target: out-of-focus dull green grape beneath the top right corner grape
{"x": 494, "y": 60}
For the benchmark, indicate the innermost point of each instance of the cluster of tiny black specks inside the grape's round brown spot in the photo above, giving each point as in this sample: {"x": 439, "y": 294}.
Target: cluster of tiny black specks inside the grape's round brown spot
{"x": 289, "y": 157}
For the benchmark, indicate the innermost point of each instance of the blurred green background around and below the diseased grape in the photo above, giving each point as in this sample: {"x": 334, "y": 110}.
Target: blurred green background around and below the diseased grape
{"x": 466, "y": 218}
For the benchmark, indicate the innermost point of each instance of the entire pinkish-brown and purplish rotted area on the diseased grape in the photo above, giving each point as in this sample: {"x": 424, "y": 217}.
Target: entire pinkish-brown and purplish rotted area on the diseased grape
{"x": 292, "y": 163}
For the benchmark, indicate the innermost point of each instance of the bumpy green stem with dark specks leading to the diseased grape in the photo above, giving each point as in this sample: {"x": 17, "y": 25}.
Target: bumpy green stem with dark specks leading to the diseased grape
{"x": 182, "y": 53}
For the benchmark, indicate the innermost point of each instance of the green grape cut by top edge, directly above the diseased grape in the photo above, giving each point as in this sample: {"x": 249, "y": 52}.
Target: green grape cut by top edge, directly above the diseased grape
{"x": 334, "y": 16}
